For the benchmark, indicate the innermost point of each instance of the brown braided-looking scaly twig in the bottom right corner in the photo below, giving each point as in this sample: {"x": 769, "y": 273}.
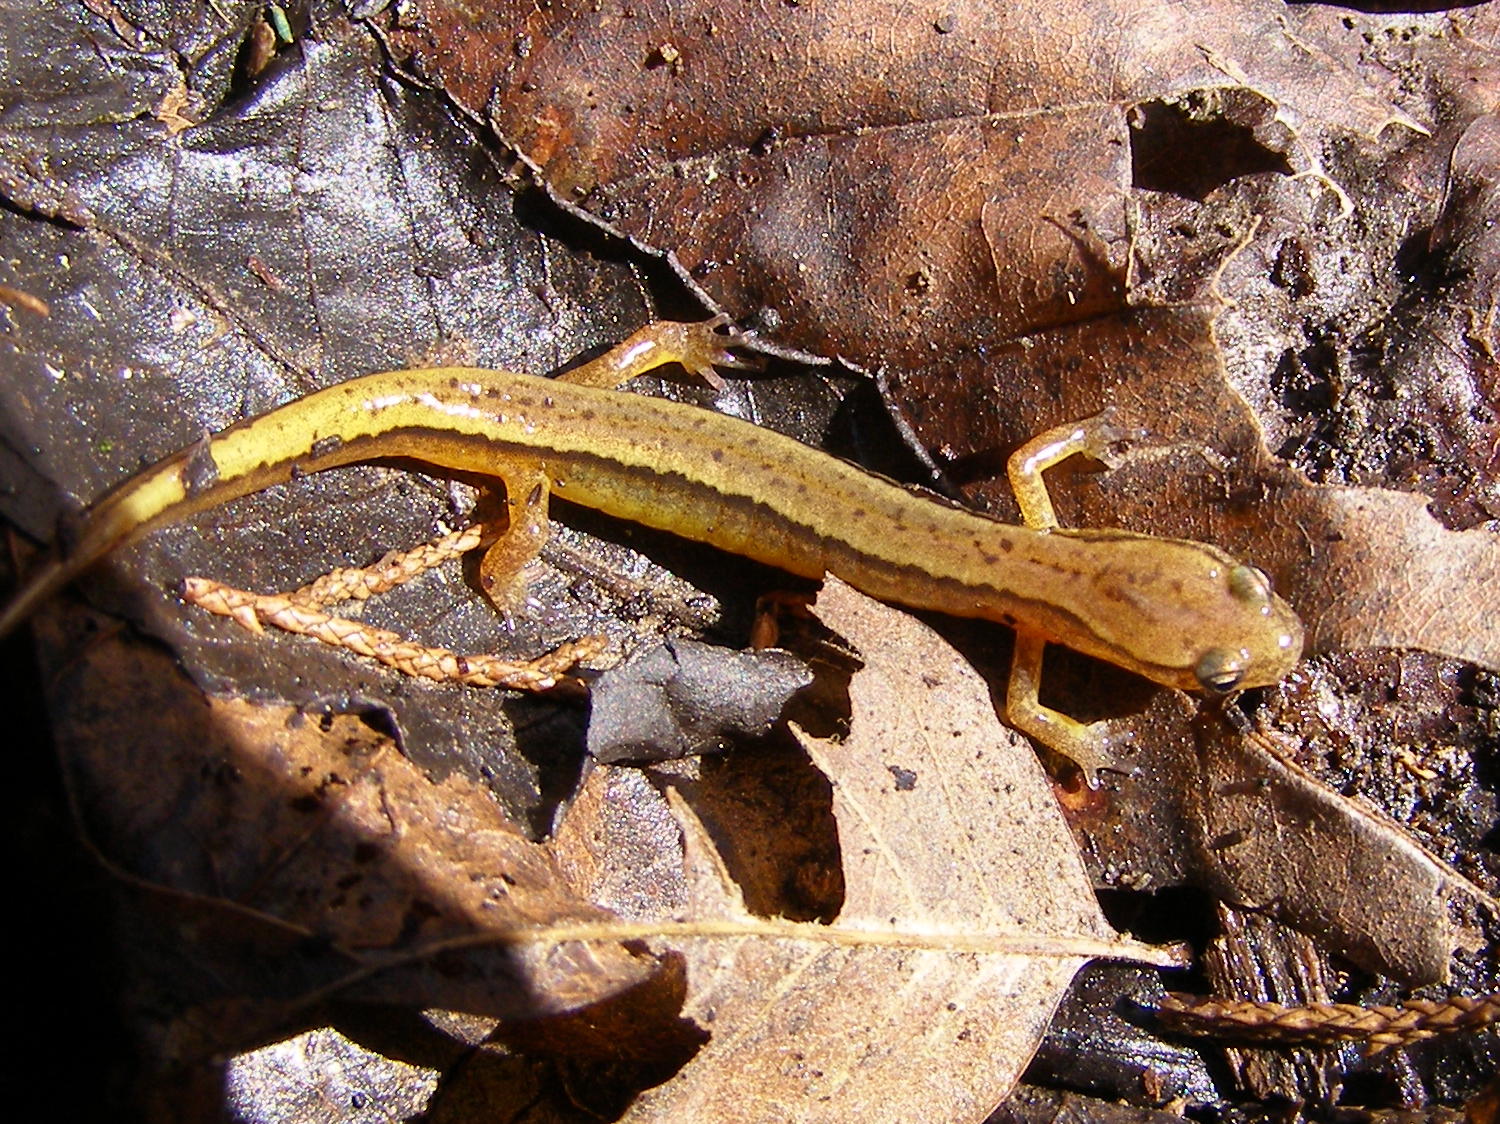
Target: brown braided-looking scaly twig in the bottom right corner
{"x": 1330, "y": 1023}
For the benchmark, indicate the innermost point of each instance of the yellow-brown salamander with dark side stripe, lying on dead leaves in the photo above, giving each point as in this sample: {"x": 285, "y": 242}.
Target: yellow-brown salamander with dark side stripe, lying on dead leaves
{"x": 1183, "y": 615}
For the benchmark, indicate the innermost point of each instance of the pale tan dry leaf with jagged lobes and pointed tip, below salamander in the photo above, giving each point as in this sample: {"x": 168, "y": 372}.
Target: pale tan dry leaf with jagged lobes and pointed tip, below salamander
{"x": 967, "y": 913}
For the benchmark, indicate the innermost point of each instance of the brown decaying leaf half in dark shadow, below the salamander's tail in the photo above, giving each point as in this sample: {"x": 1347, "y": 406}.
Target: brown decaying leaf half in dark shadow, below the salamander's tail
{"x": 277, "y": 862}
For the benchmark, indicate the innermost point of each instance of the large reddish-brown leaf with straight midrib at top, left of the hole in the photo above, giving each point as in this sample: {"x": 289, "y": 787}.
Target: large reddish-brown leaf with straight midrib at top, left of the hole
{"x": 865, "y": 169}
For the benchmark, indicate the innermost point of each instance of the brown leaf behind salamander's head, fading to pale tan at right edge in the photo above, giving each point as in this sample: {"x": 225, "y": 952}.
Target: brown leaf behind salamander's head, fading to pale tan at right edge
{"x": 1364, "y": 567}
